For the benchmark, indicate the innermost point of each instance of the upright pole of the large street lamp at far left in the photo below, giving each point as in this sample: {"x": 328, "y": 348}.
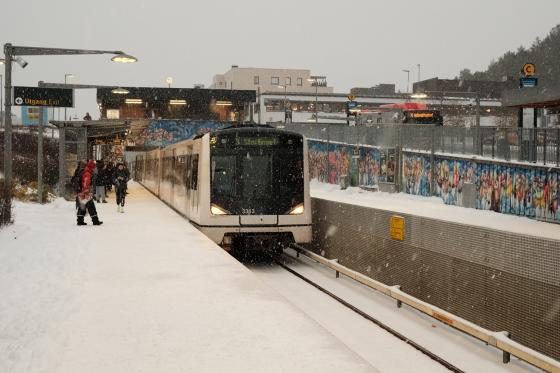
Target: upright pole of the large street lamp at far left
{"x": 8, "y": 125}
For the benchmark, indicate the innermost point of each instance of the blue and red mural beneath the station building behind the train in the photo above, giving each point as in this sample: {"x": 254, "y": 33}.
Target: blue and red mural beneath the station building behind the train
{"x": 165, "y": 132}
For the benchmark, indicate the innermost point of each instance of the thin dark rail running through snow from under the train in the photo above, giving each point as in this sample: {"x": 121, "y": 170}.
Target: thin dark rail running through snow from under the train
{"x": 423, "y": 350}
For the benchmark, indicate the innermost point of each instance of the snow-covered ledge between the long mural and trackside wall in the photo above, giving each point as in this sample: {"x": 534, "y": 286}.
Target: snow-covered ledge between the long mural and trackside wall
{"x": 433, "y": 207}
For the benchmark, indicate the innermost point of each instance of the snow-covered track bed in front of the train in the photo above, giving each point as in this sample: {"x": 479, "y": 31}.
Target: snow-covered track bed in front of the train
{"x": 375, "y": 345}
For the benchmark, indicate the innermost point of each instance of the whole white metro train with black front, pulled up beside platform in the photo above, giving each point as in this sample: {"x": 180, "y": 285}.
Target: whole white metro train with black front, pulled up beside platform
{"x": 245, "y": 187}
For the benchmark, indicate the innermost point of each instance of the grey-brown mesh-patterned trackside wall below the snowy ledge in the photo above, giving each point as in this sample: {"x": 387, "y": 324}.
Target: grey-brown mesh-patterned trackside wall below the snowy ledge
{"x": 498, "y": 280}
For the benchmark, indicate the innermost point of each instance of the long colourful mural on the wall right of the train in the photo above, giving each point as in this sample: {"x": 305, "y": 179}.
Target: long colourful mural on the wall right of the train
{"x": 527, "y": 191}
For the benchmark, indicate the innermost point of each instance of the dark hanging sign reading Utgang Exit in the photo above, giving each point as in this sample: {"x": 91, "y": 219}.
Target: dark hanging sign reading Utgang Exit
{"x": 51, "y": 97}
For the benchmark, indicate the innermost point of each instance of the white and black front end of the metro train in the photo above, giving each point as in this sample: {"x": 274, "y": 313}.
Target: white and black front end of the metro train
{"x": 259, "y": 190}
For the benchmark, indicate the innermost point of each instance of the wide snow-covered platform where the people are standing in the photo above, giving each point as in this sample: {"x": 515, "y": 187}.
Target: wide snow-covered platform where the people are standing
{"x": 144, "y": 292}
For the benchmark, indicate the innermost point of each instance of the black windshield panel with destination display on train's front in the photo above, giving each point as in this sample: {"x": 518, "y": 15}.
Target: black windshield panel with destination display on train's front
{"x": 257, "y": 175}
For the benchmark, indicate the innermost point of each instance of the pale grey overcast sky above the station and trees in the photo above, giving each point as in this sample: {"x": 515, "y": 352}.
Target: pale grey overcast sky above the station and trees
{"x": 355, "y": 43}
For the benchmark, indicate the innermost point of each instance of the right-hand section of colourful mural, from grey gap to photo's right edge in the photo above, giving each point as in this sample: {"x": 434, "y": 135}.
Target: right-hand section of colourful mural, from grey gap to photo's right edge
{"x": 508, "y": 189}
